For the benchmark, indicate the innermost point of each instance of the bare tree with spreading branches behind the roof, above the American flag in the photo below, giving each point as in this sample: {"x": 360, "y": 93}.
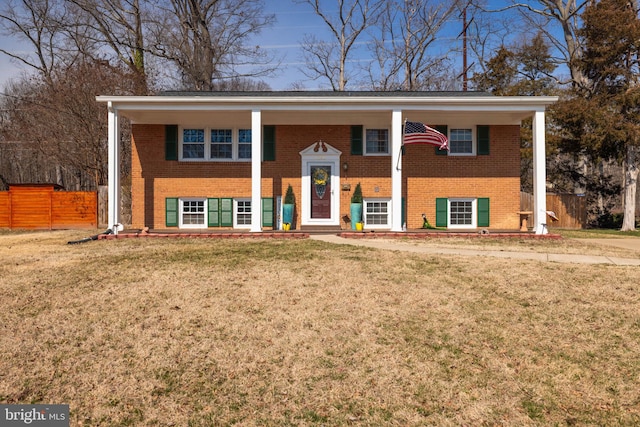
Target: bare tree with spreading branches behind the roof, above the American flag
{"x": 408, "y": 31}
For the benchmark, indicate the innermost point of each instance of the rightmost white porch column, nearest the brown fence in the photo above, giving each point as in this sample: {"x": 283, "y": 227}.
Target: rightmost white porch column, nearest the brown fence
{"x": 539, "y": 175}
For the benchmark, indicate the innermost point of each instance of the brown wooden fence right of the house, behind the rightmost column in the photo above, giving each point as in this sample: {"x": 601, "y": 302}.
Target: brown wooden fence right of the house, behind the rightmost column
{"x": 570, "y": 209}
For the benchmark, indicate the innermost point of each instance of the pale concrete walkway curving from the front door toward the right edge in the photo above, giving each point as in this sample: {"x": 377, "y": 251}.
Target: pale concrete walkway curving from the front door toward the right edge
{"x": 536, "y": 256}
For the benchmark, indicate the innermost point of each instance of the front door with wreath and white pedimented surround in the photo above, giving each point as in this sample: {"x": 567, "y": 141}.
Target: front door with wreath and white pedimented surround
{"x": 320, "y": 185}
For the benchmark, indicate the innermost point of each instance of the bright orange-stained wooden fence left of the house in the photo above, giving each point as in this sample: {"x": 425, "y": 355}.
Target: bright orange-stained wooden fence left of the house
{"x": 44, "y": 206}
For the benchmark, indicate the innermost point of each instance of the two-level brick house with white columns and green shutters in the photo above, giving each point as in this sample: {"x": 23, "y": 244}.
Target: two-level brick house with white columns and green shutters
{"x": 225, "y": 159}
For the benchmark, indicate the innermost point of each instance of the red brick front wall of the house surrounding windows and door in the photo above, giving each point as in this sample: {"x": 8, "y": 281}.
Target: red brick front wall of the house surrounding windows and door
{"x": 425, "y": 175}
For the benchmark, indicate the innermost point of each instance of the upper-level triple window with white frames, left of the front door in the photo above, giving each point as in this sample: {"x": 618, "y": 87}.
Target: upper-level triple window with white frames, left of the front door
{"x": 215, "y": 144}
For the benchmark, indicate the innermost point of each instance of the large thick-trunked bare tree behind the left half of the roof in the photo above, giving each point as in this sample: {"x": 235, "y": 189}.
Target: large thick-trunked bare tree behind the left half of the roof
{"x": 207, "y": 40}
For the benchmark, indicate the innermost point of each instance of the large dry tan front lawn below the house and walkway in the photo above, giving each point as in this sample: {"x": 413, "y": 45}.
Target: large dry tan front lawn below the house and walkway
{"x": 259, "y": 332}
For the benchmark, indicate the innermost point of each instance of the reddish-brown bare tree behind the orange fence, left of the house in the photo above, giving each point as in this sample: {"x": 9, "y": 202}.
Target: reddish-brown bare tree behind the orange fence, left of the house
{"x": 58, "y": 130}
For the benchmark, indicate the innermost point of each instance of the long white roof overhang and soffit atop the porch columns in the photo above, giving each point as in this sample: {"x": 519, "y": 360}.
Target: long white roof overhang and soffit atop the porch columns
{"x": 330, "y": 109}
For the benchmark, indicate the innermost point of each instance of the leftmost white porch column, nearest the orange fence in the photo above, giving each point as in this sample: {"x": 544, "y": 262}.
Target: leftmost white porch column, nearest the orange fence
{"x": 113, "y": 192}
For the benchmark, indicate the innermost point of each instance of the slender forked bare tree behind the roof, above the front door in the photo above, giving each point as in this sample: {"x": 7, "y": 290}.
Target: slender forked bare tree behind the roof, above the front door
{"x": 328, "y": 59}
